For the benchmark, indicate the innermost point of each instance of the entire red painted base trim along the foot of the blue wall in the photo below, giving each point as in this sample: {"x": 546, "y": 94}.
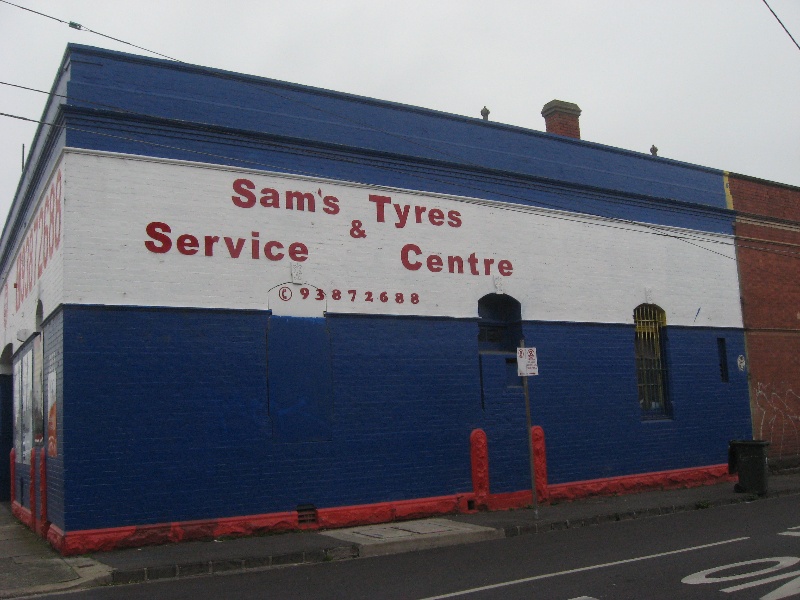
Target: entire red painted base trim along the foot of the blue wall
{"x": 98, "y": 540}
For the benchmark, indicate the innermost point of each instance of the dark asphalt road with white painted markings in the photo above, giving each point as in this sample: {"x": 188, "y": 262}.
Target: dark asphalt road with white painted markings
{"x": 686, "y": 555}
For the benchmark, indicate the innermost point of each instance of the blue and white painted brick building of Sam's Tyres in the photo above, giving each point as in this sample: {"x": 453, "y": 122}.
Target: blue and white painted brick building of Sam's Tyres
{"x": 226, "y": 297}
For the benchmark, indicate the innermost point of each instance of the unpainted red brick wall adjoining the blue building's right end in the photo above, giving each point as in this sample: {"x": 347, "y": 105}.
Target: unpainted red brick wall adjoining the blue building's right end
{"x": 768, "y": 252}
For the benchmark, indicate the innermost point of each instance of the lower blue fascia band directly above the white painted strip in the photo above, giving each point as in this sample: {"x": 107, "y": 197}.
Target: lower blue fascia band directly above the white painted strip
{"x": 148, "y": 136}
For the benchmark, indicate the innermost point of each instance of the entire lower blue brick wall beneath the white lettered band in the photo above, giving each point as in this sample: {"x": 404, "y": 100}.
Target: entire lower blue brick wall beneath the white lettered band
{"x": 171, "y": 415}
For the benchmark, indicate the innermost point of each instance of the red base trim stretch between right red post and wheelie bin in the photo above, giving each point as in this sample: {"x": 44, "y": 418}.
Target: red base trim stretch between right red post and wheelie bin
{"x": 628, "y": 484}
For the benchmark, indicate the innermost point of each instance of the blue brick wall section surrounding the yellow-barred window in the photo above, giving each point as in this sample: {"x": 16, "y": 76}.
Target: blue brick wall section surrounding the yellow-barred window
{"x": 585, "y": 398}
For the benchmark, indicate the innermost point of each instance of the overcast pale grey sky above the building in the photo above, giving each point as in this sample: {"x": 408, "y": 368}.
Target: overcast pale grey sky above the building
{"x": 710, "y": 82}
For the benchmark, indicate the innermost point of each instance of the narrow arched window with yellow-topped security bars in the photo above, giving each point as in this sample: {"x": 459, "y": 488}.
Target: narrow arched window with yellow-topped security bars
{"x": 651, "y": 364}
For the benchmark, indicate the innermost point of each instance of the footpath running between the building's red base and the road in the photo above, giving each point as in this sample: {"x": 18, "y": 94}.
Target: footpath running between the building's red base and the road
{"x": 29, "y": 566}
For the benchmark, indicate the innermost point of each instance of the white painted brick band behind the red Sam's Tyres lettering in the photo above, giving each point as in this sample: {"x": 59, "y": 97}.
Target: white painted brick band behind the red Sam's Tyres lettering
{"x": 566, "y": 267}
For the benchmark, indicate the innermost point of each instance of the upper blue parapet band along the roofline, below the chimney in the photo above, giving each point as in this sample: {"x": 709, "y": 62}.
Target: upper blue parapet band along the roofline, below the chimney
{"x": 215, "y": 97}
